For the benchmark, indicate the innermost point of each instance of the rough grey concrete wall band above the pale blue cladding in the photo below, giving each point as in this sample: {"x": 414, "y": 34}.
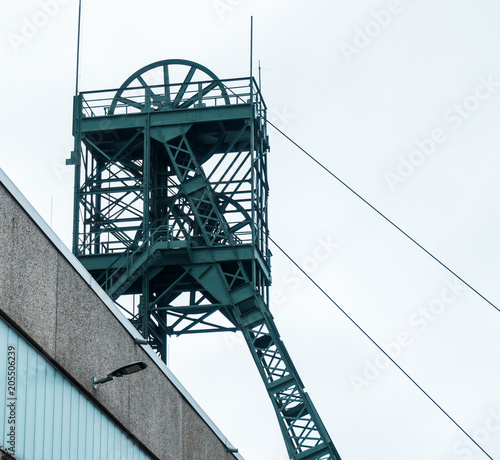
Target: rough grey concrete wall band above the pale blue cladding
{"x": 52, "y": 301}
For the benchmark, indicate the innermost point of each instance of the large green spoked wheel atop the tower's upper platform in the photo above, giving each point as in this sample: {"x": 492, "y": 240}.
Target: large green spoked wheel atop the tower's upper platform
{"x": 168, "y": 85}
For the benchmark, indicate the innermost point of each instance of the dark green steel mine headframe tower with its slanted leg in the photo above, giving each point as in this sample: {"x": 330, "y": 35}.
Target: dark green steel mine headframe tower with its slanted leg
{"x": 171, "y": 218}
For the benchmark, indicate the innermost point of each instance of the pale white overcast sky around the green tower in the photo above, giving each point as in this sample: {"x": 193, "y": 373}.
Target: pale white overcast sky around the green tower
{"x": 359, "y": 112}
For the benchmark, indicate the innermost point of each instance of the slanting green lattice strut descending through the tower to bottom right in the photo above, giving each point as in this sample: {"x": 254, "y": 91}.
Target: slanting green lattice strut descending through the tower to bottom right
{"x": 304, "y": 433}
